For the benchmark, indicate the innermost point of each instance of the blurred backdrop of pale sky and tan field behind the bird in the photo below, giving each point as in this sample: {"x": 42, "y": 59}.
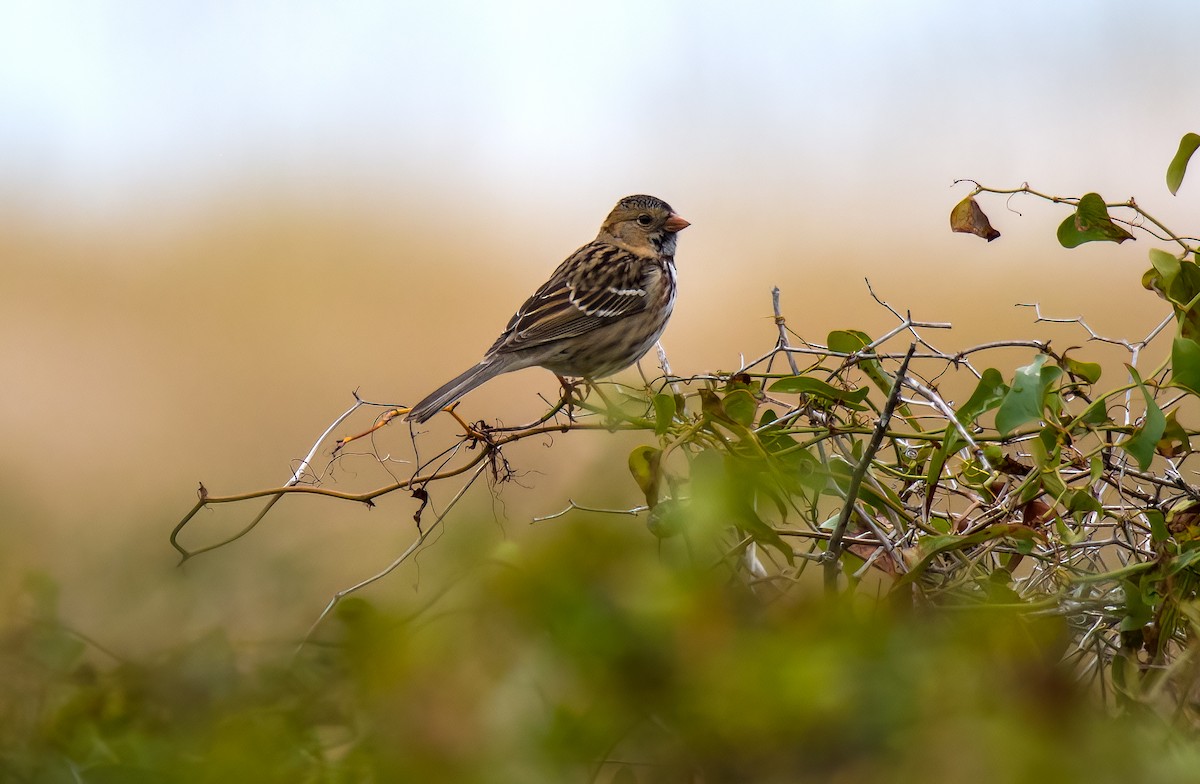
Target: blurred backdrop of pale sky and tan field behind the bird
{"x": 217, "y": 222}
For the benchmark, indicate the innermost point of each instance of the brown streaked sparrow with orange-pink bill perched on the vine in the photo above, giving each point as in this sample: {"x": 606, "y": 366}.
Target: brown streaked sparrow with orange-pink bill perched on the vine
{"x": 598, "y": 314}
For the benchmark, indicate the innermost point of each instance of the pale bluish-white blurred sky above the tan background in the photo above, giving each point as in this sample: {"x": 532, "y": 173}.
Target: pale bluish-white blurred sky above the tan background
{"x": 106, "y": 104}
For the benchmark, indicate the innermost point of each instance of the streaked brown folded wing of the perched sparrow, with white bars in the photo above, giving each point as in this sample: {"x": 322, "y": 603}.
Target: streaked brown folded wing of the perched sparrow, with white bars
{"x": 597, "y": 285}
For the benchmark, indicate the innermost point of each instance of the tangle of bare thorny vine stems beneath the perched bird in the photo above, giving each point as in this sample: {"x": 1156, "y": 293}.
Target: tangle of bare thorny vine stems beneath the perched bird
{"x": 901, "y": 501}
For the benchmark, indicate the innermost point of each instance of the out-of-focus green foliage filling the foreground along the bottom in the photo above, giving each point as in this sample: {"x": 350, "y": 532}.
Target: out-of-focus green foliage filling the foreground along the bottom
{"x": 584, "y": 657}
